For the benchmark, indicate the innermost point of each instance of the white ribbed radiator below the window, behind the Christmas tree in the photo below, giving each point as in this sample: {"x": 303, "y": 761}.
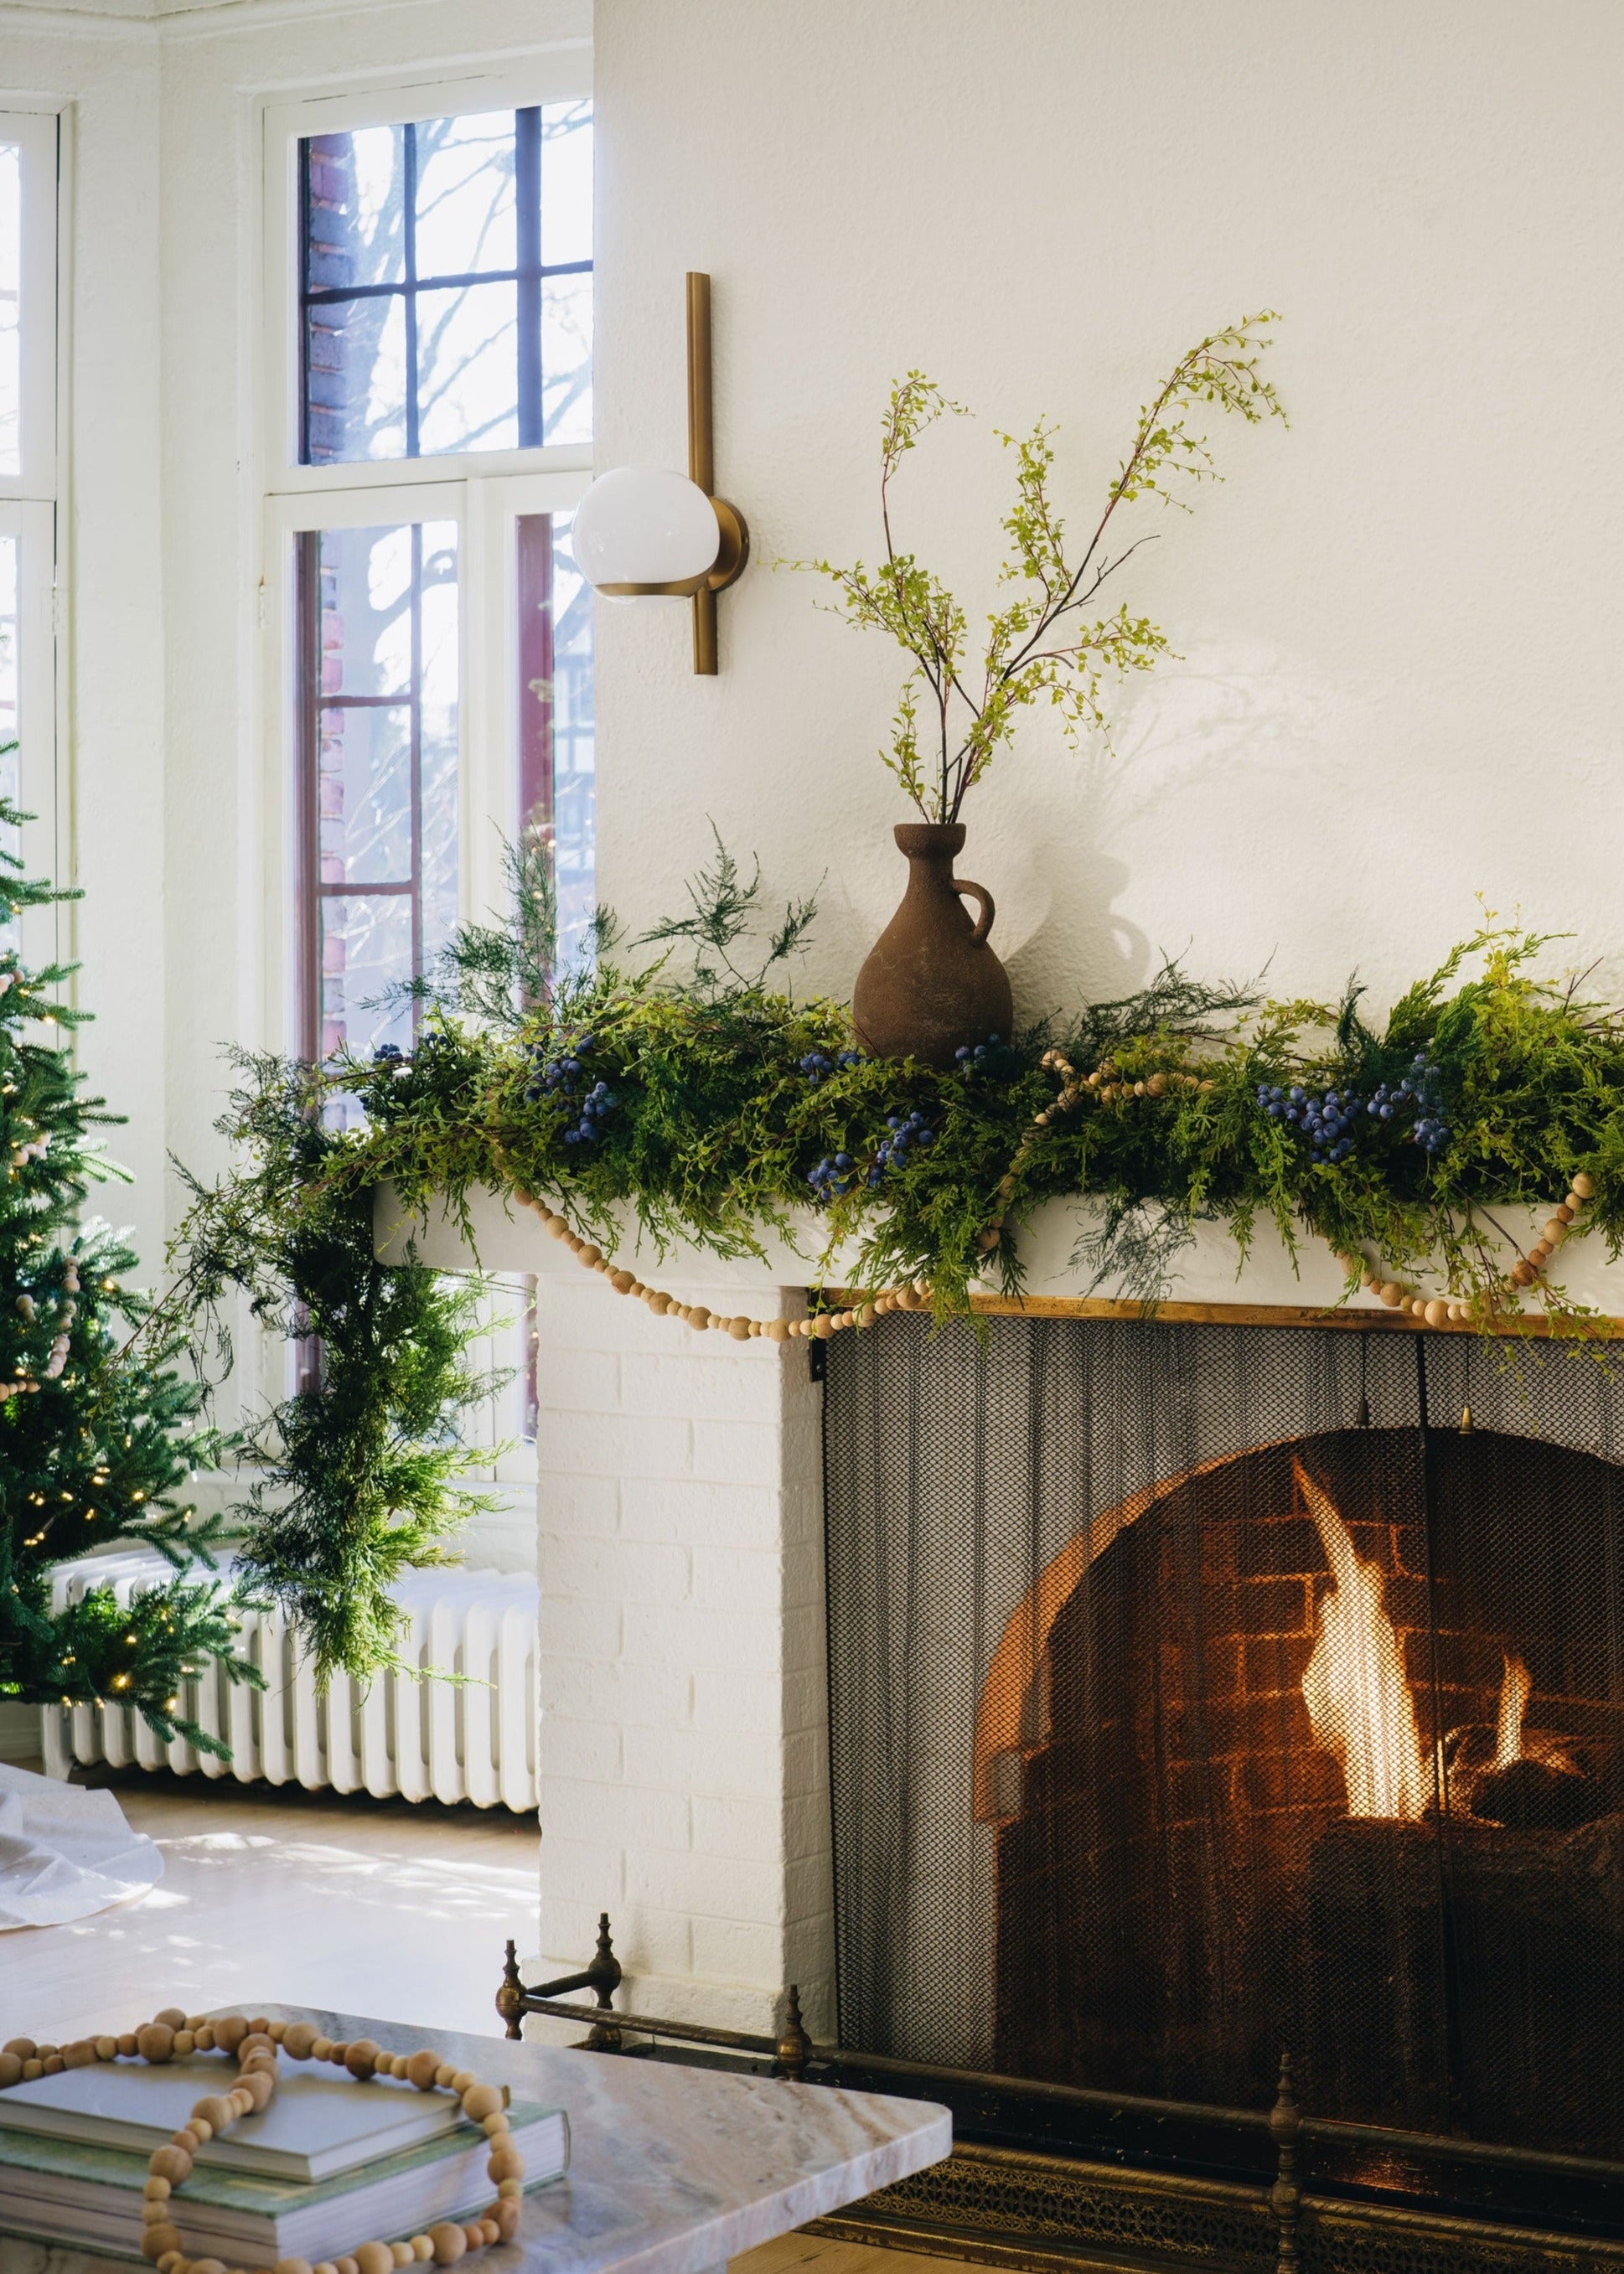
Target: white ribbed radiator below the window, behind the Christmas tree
{"x": 470, "y": 1741}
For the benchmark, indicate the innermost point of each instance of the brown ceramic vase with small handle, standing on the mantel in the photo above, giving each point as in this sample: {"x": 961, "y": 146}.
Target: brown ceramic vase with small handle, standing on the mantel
{"x": 931, "y": 981}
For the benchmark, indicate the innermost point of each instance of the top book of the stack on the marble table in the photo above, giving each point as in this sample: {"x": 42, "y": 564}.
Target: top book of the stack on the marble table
{"x": 317, "y": 2127}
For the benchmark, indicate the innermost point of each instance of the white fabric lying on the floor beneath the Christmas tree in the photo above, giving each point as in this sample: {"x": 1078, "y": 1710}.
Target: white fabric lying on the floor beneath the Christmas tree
{"x": 67, "y": 1852}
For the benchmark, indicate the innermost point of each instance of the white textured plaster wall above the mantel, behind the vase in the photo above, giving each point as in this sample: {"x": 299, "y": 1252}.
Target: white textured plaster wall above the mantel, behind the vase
{"x": 1402, "y": 620}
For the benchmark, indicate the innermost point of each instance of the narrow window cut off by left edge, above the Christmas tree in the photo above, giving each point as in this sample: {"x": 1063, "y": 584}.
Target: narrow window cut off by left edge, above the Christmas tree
{"x": 28, "y": 492}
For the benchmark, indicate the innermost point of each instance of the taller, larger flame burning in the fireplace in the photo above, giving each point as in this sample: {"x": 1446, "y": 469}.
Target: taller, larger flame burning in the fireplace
{"x": 1357, "y": 1695}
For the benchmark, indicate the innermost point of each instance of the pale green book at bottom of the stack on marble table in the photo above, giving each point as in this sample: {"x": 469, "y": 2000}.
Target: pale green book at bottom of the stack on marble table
{"x": 90, "y": 2196}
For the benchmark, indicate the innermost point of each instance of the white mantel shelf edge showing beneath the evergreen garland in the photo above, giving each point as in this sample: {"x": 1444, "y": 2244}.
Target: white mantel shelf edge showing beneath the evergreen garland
{"x": 1270, "y": 1288}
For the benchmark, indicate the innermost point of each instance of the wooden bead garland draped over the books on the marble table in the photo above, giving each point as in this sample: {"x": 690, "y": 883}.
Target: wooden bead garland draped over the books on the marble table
{"x": 256, "y": 2048}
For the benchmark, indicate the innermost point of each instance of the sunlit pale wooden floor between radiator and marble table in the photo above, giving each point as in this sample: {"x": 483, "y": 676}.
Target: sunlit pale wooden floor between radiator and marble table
{"x": 374, "y": 1907}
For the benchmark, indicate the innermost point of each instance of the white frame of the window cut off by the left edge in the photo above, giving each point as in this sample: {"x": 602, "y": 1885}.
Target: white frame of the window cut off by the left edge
{"x": 31, "y": 513}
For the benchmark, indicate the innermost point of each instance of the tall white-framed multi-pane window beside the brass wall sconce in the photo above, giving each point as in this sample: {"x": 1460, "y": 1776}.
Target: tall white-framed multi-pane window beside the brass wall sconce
{"x": 429, "y": 435}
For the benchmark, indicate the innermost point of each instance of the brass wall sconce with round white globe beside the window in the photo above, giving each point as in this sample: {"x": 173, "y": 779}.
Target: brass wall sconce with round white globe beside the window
{"x": 645, "y": 533}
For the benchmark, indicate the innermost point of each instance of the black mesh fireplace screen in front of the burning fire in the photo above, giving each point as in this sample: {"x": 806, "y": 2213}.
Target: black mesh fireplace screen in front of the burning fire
{"x": 1195, "y": 1702}
